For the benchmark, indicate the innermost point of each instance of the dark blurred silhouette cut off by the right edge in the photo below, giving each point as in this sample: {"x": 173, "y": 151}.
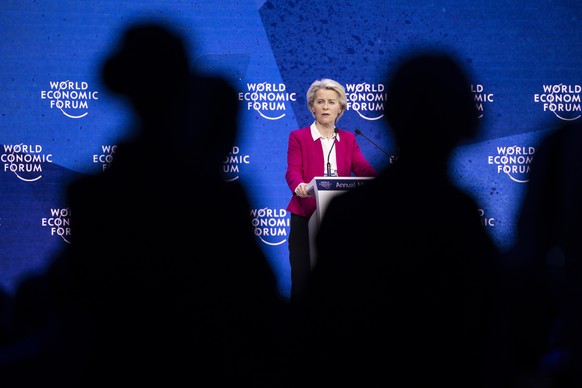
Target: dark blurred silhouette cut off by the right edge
{"x": 544, "y": 267}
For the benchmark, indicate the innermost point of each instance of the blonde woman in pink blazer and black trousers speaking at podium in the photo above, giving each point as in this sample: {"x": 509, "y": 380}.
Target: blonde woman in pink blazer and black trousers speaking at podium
{"x": 319, "y": 149}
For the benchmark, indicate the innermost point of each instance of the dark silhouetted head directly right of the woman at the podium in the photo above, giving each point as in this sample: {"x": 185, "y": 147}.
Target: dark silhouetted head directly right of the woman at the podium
{"x": 430, "y": 107}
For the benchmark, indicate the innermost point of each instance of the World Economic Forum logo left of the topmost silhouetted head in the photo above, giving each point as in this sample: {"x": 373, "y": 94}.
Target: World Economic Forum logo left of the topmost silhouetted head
{"x": 70, "y": 97}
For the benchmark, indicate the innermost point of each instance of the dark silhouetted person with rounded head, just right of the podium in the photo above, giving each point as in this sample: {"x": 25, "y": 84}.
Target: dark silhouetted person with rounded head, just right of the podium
{"x": 402, "y": 290}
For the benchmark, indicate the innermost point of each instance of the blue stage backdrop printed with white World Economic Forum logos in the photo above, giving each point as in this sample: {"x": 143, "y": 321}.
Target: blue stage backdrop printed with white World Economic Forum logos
{"x": 58, "y": 121}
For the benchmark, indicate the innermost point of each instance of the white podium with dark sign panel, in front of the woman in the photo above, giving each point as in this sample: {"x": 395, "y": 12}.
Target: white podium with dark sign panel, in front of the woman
{"x": 324, "y": 189}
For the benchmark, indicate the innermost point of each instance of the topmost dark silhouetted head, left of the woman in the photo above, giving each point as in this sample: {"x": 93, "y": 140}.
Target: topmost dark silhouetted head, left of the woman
{"x": 150, "y": 64}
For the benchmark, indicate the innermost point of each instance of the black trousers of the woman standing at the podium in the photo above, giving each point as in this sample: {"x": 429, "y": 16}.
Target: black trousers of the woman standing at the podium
{"x": 299, "y": 256}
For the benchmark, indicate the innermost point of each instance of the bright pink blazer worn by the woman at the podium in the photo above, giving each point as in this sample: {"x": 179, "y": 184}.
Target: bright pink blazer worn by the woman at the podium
{"x": 305, "y": 160}
